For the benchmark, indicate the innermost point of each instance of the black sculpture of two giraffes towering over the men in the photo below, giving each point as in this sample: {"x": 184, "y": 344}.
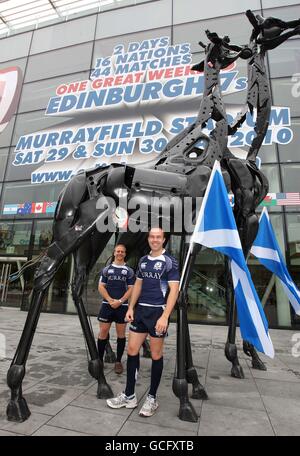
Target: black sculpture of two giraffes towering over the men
{"x": 183, "y": 170}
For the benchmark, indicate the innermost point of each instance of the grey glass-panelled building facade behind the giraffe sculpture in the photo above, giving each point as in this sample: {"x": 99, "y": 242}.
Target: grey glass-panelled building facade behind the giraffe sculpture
{"x": 67, "y": 52}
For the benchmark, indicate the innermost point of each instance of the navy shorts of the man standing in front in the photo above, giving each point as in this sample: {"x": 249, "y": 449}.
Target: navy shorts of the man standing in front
{"x": 145, "y": 318}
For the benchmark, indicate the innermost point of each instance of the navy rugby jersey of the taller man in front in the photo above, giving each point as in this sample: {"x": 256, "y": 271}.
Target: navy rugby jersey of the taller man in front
{"x": 156, "y": 272}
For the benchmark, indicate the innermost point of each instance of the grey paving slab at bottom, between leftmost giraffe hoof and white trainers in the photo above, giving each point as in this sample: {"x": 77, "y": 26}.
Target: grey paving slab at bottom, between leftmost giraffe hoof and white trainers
{"x": 88, "y": 421}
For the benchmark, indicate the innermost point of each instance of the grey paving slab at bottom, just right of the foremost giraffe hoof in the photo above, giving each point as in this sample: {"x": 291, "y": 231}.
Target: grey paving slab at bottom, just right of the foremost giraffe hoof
{"x": 218, "y": 420}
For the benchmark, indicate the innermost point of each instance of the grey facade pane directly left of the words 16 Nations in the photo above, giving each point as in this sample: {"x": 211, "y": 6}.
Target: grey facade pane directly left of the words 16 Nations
{"x": 64, "y": 61}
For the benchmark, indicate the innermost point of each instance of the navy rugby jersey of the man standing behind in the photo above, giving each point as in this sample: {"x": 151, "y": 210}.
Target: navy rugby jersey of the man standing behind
{"x": 117, "y": 278}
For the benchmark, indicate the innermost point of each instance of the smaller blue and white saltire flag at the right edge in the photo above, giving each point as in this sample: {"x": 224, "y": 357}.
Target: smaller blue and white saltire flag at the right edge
{"x": 267, "y": 251}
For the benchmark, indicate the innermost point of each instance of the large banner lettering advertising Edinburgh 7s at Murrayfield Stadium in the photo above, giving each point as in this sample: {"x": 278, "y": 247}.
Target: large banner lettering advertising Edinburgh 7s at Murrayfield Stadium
{"x": 136, "y": 100}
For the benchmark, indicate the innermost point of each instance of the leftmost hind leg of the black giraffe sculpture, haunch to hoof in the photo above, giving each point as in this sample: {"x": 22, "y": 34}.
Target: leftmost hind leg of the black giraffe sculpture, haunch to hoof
{"x": 68, "y": 236}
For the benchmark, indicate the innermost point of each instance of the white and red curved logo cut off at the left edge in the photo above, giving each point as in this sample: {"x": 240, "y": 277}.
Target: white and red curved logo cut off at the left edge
{"x": 10, "y": 90}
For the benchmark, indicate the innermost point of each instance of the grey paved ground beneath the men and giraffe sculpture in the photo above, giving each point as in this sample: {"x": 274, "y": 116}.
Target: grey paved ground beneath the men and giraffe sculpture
{"x": 62, "y": 395}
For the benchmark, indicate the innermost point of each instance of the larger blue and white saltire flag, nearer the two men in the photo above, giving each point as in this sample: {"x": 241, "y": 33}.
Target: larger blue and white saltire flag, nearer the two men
{"x": 216, "y": 228}
